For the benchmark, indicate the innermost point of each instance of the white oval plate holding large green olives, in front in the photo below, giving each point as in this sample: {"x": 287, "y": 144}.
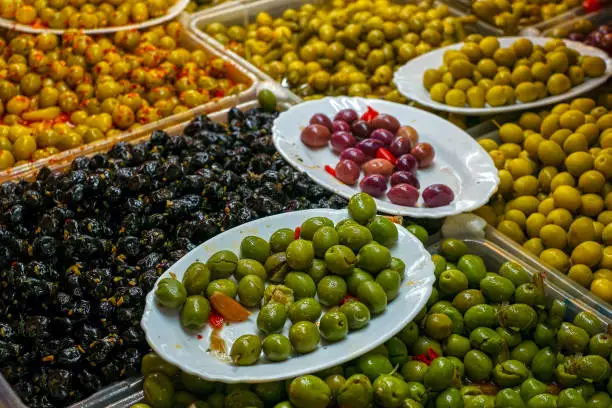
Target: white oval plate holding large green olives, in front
{"x": 183, "y": 349}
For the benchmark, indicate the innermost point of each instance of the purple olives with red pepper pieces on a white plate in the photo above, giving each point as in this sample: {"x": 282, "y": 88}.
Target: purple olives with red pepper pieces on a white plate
{"x": 387, "y": 150}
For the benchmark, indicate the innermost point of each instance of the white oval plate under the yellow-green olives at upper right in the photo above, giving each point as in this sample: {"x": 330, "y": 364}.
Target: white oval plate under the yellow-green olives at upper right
{"x": 409, "y": 79}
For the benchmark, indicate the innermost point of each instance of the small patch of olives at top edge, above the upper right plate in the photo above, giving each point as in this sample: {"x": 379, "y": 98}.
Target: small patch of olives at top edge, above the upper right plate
{"x": 510, "y": 15}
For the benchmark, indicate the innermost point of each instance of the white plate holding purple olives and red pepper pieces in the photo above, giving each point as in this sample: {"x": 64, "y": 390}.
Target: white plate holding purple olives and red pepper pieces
{"x": 459, "y": 161}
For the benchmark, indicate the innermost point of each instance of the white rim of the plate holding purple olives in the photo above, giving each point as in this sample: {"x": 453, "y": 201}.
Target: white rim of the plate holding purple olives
{"x": 484, "y": 175}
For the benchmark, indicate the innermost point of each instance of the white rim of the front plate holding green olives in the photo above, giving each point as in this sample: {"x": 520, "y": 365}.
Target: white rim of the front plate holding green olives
{"x": 424, "y": 282}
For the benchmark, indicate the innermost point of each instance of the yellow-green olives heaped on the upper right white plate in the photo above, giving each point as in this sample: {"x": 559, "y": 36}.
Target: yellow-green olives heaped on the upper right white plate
{"x": 484, "y": 73}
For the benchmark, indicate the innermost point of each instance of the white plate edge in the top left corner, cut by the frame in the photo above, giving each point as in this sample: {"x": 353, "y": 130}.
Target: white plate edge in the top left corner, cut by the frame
{"x": 173, "y": 11}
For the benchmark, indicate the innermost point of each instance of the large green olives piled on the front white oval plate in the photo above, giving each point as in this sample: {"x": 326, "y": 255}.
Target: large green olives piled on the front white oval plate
{"x": 292, "y": 277}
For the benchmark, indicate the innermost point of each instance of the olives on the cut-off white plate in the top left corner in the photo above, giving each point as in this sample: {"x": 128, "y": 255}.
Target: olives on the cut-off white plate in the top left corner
{"x": 80, "y": 14}
